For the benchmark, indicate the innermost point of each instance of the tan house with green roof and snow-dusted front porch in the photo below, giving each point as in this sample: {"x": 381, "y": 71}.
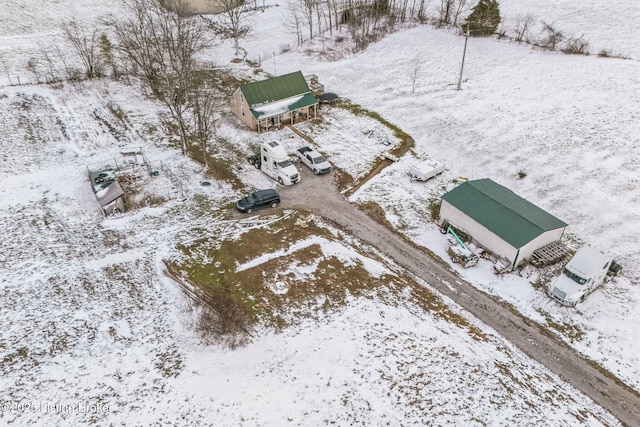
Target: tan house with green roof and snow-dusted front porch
{"x": 279, "y": 100}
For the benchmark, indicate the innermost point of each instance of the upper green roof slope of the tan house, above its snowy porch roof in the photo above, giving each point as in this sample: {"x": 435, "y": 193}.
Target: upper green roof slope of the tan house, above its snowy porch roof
{"x": 275, "y": 89}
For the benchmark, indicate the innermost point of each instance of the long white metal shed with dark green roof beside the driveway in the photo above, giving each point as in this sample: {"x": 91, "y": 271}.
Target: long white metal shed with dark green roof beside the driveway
{"x": 499, "y": 220}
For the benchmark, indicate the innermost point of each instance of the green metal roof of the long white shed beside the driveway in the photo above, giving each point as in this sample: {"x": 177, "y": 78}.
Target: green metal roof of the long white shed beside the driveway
{"x": 509, "y": 216}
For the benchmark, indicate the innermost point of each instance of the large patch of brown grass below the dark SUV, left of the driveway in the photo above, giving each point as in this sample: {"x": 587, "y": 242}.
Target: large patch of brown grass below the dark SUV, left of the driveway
{"x": 238, "y": 300}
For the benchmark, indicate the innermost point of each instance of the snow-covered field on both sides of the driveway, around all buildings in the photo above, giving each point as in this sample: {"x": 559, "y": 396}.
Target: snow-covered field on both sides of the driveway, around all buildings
{"x": 89, "y": 318}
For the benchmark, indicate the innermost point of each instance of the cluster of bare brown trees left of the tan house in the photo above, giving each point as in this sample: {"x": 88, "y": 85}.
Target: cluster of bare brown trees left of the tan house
{"x": 161, "y": 44}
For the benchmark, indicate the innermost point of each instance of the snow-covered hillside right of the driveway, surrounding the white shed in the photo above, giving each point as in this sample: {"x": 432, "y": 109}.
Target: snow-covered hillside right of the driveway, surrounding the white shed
{"x": 568, "y": 122}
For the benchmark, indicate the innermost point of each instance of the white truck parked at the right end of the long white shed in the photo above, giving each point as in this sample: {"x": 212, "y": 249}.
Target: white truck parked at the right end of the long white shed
{"x": 587, "y": 270}
